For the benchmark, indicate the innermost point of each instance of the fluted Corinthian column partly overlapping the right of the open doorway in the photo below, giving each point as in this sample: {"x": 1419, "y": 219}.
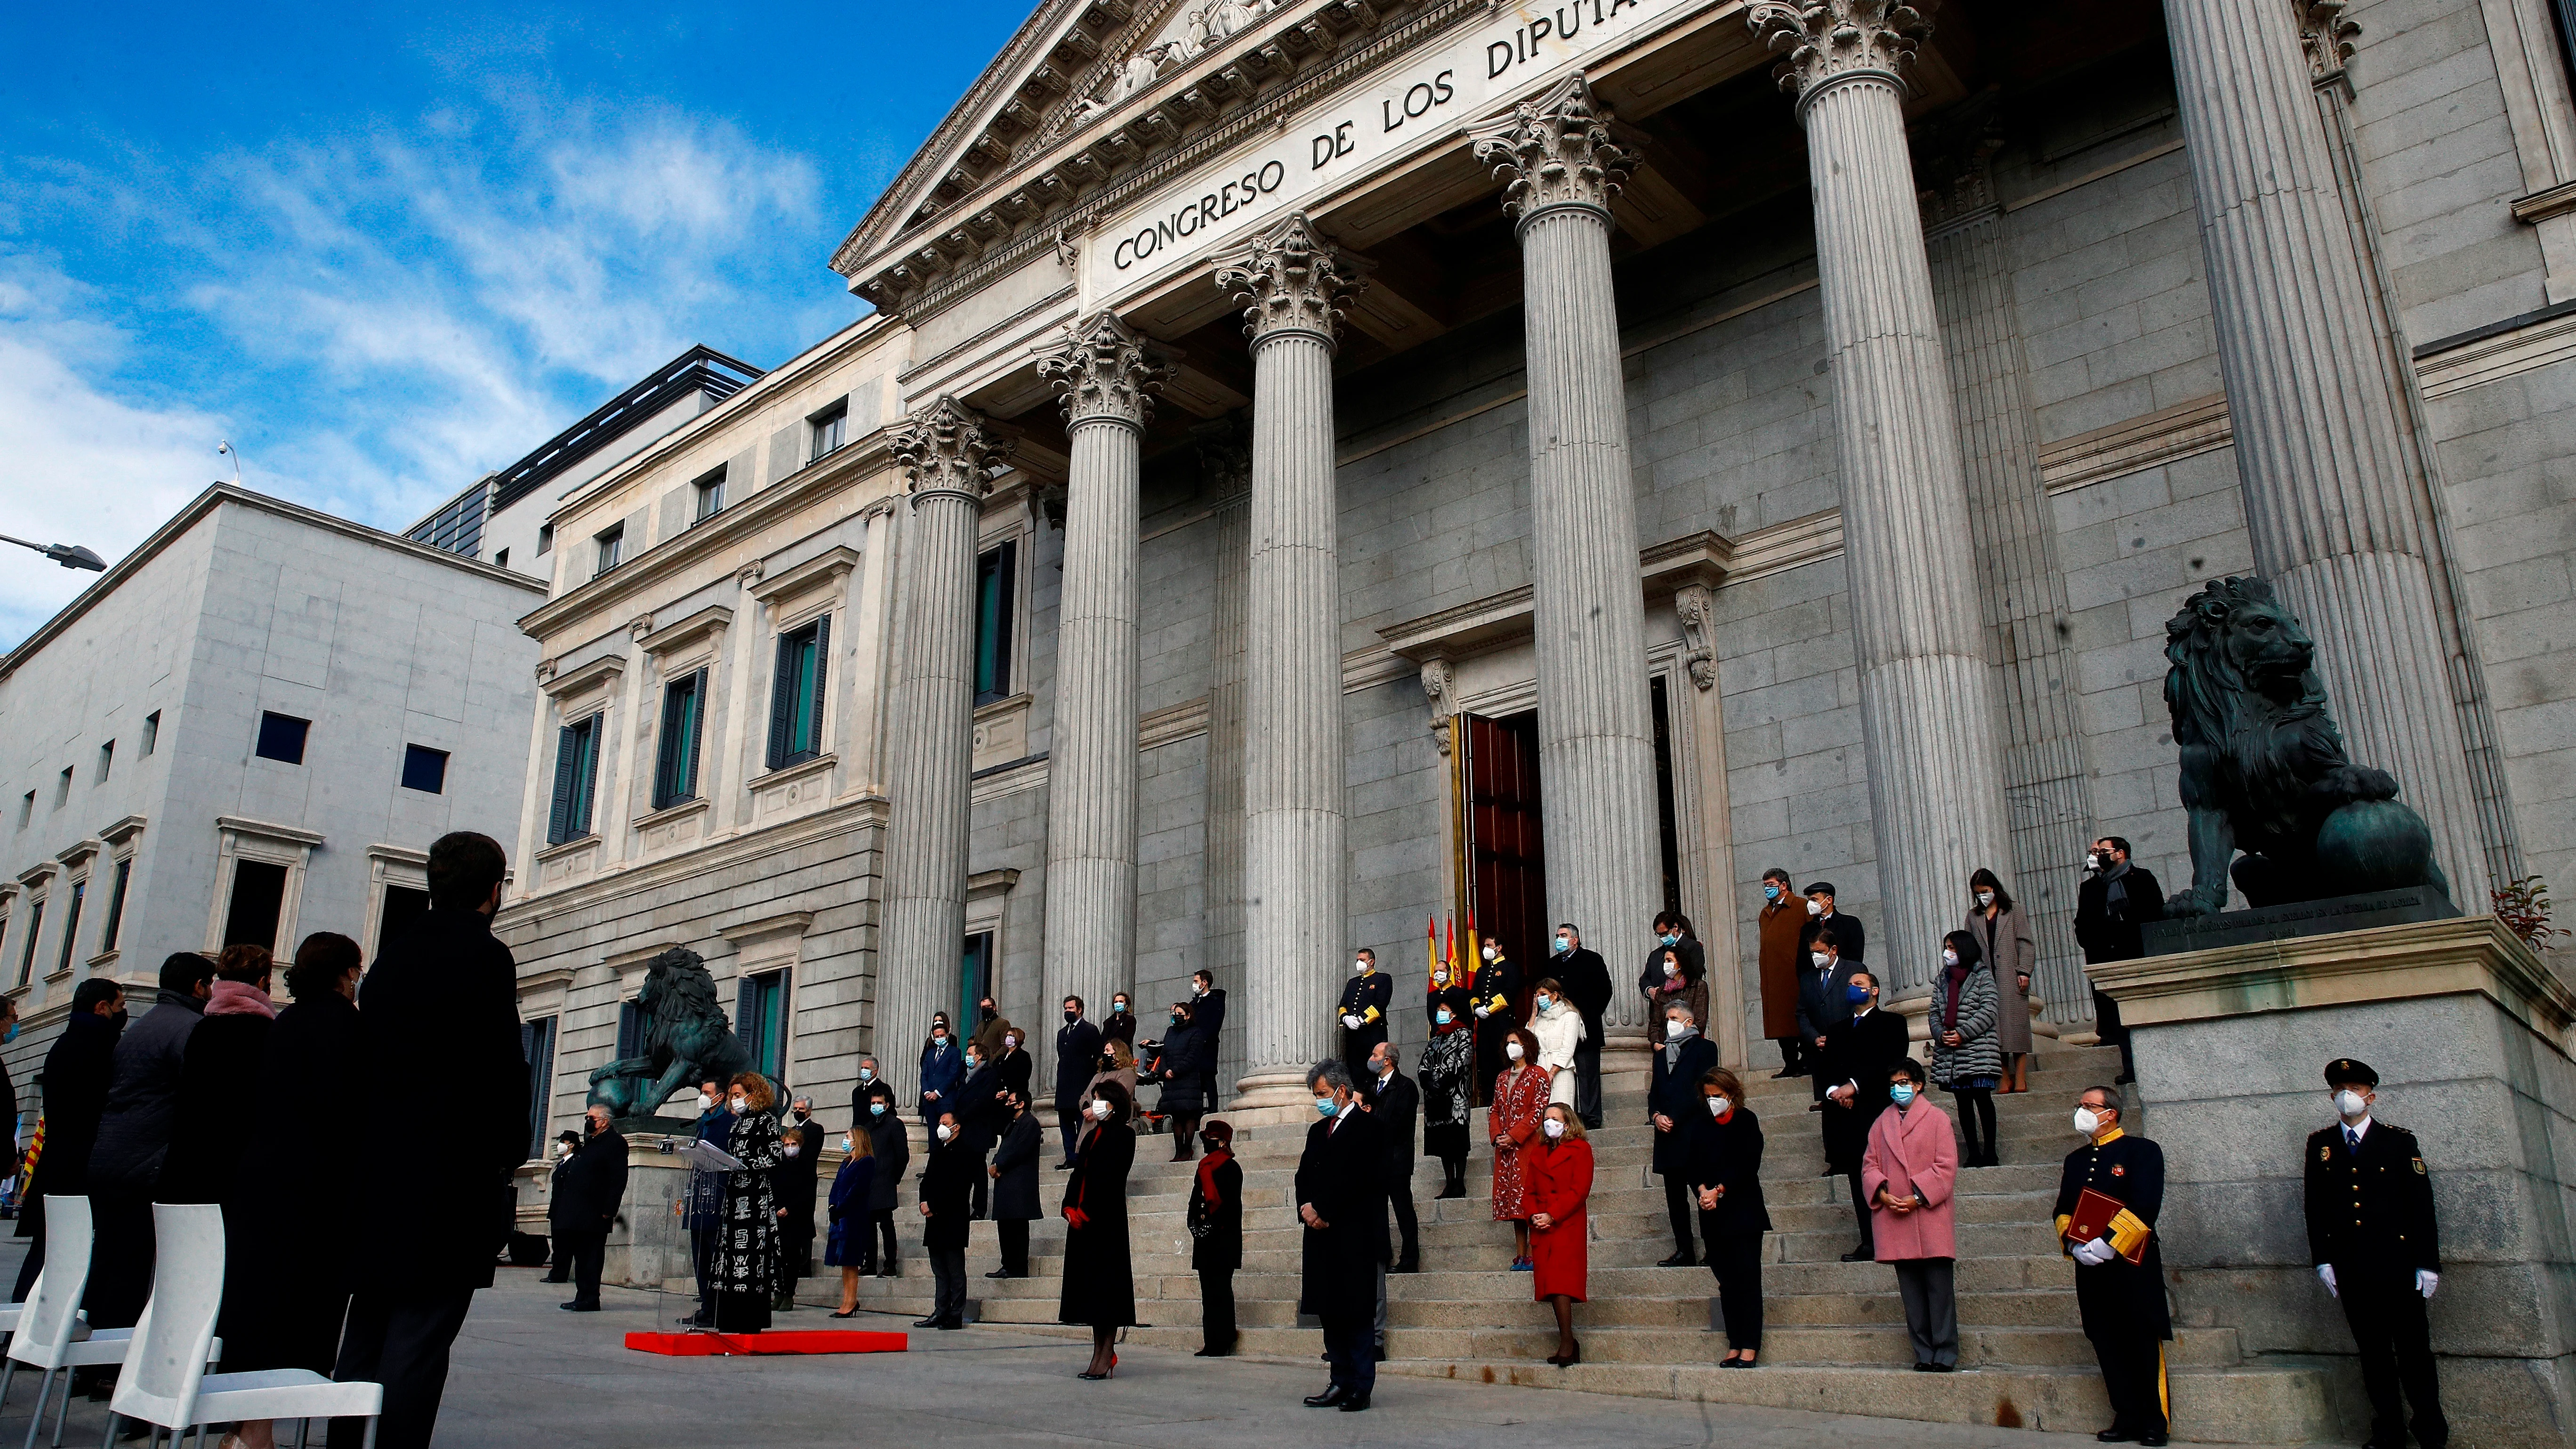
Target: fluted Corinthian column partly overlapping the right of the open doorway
{"x": 1596, "y": 726}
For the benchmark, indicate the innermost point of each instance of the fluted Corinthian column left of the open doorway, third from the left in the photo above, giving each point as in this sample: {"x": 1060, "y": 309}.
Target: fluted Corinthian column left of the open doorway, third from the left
{"x": 1294, "y": 919}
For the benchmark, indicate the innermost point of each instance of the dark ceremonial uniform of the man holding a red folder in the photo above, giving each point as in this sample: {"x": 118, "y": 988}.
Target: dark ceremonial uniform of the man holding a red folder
{"x": 2124, "y": 1298}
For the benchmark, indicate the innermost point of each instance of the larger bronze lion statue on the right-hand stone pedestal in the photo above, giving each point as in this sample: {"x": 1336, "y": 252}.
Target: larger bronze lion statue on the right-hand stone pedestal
{"x": 2266, "y": 770}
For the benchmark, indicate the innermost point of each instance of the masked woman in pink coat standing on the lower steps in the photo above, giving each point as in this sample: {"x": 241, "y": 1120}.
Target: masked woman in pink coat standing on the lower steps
{"x": 1910, "y": 1174}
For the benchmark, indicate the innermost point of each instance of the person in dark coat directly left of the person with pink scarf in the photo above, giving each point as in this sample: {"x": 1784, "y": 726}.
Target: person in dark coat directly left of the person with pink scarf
{"x": 135, "y": 1138}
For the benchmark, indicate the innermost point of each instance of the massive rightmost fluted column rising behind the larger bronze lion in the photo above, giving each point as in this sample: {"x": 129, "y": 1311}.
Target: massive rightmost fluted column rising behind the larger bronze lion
{"x": 2330, "y": 507}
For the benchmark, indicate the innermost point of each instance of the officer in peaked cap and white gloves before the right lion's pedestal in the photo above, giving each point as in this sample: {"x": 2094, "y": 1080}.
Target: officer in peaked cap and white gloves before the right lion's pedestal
{"x": 2379, "y": 1252}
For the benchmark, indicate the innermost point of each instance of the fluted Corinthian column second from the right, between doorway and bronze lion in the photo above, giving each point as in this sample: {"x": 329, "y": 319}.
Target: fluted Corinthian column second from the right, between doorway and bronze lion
{"x": 1926, "y": 697}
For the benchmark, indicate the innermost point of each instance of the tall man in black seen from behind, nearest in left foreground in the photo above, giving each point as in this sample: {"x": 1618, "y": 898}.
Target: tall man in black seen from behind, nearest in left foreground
{"x": 439, "y": 1007}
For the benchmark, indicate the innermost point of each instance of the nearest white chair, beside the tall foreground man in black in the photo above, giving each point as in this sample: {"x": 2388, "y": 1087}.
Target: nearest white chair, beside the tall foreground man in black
{"x": 164, "y": 1378}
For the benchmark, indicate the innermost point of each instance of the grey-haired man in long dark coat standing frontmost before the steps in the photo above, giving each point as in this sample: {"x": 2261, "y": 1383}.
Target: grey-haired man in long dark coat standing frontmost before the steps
{"x": 1341, "y": 1198}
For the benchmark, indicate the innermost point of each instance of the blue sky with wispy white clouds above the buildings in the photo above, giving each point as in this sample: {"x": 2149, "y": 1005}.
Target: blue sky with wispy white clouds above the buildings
{"x": 390, "y": 249}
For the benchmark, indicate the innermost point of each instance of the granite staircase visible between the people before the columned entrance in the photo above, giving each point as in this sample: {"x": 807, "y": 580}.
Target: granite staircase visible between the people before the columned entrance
{"x": 1833, "y": 1339}
